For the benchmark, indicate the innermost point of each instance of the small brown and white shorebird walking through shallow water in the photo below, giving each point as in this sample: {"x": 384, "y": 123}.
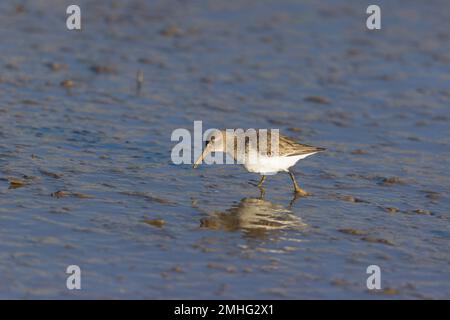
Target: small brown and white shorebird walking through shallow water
{"x": 278, "y": 154}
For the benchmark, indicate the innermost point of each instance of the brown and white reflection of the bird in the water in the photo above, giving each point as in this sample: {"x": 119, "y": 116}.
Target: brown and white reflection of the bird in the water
{"x": 255, "y": 216}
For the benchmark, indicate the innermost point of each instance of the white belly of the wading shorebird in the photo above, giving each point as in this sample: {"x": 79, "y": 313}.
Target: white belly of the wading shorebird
{"x": 271, "y": 165}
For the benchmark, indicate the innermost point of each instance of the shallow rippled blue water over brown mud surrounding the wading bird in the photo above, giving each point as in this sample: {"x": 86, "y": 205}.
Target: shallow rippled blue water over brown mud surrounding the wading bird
{"x": 87, "y": 179}
